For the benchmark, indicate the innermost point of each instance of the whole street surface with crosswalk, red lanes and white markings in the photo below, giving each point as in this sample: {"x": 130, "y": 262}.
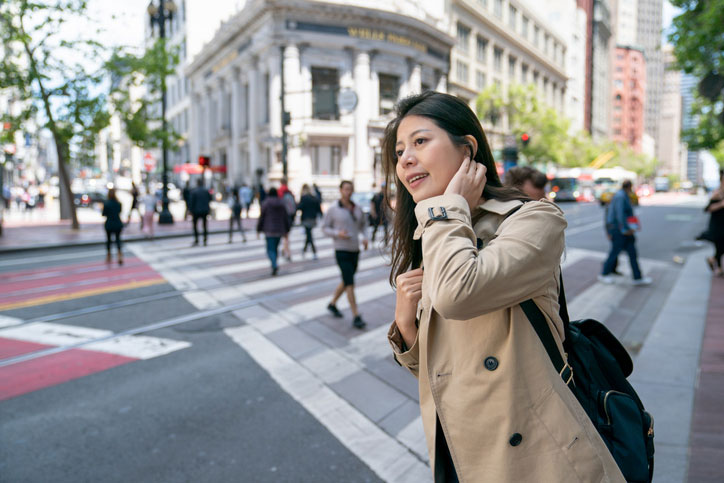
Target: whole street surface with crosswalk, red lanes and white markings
{"x": 192, "y": 364}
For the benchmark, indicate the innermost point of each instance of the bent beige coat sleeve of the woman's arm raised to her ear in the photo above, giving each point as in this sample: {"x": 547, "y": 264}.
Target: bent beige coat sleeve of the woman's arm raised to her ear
{"x": 516, "y": 265}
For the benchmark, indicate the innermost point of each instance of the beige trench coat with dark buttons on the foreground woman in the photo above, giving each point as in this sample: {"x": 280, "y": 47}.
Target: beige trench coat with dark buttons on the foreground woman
{"x": 506, "y": 414}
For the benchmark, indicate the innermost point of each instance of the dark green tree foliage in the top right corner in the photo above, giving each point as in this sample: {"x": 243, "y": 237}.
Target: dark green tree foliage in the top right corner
{"x": 698, "y": 39}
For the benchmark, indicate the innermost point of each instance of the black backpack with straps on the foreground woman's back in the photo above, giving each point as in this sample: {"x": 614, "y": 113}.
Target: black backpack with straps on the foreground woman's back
{"x": 597, "y": 368}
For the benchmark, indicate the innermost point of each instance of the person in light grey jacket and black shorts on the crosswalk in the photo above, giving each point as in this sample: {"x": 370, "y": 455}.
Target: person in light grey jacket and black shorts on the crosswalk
{"x": 345, "y": 223}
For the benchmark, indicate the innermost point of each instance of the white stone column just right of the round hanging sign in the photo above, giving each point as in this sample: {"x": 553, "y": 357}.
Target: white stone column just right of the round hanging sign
{"x": 362, "y": 153}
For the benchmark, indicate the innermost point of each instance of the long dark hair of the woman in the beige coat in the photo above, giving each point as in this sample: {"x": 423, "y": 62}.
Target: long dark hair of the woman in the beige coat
{"x": 456, "y": 118}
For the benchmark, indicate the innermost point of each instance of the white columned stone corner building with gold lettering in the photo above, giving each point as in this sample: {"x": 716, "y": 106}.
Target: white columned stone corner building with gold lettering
{"x": 344, "y": 66}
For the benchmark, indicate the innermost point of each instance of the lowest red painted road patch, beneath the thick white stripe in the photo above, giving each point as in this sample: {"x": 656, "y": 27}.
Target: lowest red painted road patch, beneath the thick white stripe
{"x": 35, "y": 374}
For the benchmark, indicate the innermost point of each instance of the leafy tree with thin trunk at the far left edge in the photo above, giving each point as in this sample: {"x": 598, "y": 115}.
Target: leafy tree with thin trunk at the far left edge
{"x": 37, "y": 67}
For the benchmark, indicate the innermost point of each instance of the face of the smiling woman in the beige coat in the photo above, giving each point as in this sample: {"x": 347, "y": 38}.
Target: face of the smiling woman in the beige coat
{"x": 426, "y": 157}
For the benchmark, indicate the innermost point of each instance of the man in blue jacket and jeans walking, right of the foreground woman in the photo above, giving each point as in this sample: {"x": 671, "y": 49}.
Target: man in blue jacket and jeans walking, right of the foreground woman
{"x": 621, "y": 224}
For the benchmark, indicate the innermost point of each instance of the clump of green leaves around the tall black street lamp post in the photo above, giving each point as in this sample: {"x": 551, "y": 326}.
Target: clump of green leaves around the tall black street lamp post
{"x": 147, "y": 72}
